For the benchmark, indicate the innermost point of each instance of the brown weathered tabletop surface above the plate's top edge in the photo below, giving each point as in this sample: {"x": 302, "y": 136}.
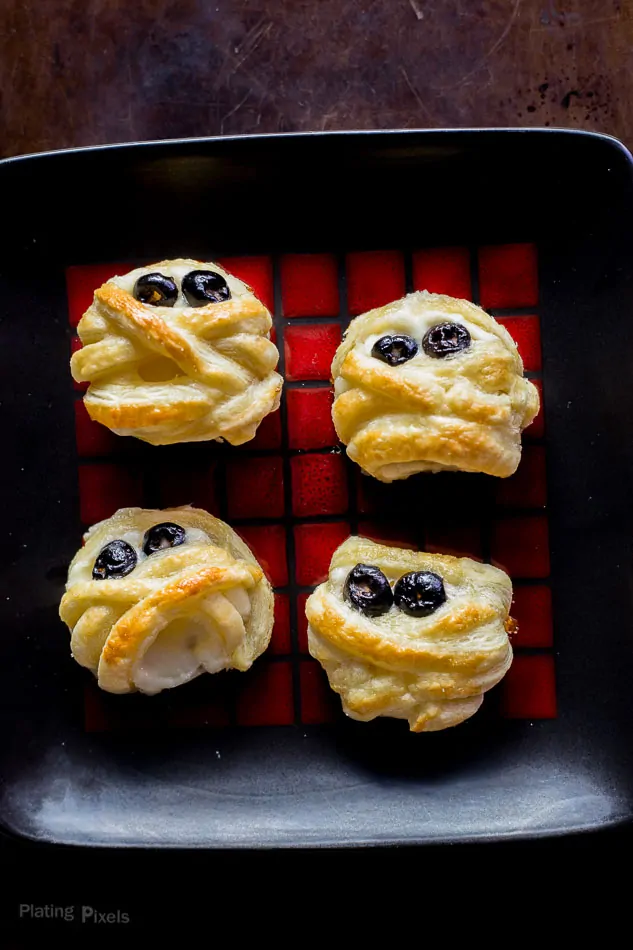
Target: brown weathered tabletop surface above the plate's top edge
{"x": 84, "y": 72}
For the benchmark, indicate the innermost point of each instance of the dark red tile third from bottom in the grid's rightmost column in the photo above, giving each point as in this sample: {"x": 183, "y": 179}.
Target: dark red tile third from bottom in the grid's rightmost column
{"x": 520, "y": 546}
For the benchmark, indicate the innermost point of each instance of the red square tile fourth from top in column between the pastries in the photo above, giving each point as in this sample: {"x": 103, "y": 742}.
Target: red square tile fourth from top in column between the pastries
{"x": 319, "y": 485}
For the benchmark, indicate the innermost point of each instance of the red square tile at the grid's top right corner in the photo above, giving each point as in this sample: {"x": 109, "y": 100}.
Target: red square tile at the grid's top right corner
{"x": 508, "y": 276}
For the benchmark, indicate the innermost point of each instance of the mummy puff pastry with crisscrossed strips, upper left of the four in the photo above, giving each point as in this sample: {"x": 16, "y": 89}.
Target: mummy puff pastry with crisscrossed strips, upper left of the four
{"x": 178, "y": 352}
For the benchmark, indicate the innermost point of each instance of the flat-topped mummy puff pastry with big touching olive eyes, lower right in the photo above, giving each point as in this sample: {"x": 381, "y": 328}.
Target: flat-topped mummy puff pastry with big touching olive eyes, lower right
{"x": 410, "y": 635}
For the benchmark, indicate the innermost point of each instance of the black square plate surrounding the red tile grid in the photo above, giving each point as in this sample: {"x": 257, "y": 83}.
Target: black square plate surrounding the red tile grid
{"x": 569, "y": 194}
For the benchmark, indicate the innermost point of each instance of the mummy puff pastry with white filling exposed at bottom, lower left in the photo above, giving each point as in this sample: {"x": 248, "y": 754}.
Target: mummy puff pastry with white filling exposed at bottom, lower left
{"x": 154, "y": 598}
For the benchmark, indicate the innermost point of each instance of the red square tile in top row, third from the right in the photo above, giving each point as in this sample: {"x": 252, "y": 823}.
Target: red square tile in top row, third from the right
{"x": 374, "y": 278}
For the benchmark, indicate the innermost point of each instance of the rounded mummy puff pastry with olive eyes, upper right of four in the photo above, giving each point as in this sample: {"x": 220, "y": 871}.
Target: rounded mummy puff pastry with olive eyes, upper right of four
{"x": 431, "y": 383}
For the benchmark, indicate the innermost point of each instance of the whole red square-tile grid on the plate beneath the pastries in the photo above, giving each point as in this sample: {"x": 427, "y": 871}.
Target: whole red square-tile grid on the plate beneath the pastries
{"x": 289, "y": 498}
